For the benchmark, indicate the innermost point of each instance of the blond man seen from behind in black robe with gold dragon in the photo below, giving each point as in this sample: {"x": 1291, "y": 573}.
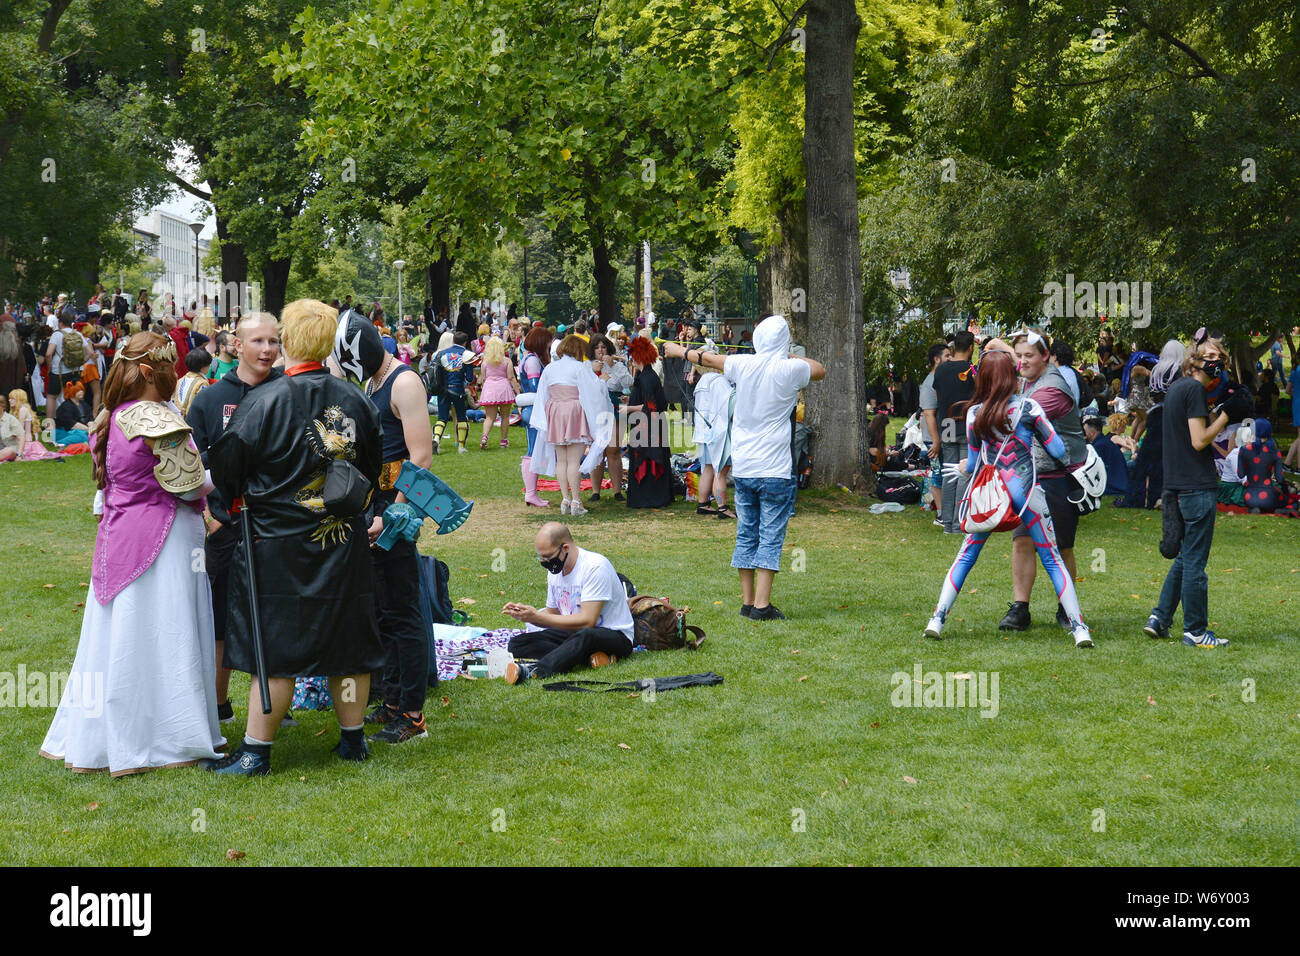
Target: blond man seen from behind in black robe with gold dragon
{"x": 315, "y": 582}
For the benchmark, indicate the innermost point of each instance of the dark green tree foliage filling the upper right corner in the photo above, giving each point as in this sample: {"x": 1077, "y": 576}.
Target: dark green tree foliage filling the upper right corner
{"x": 1146, "y": 144}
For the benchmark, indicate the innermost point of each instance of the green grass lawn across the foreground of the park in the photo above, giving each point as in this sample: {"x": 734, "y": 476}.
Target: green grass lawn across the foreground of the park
{"x": 1137, "y": 752}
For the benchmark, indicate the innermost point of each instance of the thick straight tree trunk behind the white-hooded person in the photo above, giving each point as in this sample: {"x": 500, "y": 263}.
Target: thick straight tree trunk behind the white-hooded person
{"x": 837, "y": 408}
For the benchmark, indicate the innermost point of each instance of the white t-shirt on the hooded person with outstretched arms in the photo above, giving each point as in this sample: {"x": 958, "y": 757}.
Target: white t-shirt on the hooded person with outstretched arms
{"x": 766, "y": 392}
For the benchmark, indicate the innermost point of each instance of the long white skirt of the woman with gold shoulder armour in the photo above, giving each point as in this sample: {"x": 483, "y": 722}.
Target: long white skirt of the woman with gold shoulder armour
{"x": 142, "y": 690}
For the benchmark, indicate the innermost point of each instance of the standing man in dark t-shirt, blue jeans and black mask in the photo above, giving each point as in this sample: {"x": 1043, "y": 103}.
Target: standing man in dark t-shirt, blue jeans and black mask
{"x": 1191, "y": 494}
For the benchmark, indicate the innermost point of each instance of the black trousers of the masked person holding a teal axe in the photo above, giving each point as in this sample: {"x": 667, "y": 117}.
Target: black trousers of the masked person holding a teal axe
{"x": 405, "y": 678}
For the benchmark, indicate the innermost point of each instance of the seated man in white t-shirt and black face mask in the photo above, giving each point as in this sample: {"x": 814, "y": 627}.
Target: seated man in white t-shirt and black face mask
{"x": 587, "y": 618}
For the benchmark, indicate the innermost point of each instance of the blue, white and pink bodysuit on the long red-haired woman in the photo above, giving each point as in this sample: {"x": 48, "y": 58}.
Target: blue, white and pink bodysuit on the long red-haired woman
{"x": 1016, "y": 466}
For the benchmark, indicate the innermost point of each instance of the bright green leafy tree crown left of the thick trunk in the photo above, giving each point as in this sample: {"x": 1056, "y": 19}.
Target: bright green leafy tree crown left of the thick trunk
{"x": 514, "y": 109}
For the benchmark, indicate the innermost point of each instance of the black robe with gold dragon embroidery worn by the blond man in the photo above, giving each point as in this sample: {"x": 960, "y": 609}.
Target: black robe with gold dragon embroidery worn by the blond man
{"x": 314, "y": 572}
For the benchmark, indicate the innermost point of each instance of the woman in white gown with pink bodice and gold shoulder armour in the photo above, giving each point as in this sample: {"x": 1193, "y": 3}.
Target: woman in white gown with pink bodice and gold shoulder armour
{"x": 142, "y": 690}
